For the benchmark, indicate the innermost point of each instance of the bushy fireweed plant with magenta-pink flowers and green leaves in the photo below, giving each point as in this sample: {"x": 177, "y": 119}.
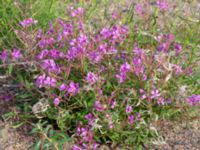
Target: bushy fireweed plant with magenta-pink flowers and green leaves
{"x": 102, "y": 87}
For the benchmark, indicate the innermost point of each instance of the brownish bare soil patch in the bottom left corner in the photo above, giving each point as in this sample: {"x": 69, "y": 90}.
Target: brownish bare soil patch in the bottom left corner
{"x": 11, "y": 138}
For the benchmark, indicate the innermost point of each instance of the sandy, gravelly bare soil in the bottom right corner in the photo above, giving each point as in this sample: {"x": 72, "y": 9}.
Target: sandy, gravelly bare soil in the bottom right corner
{"x": 183, "y": 135}
